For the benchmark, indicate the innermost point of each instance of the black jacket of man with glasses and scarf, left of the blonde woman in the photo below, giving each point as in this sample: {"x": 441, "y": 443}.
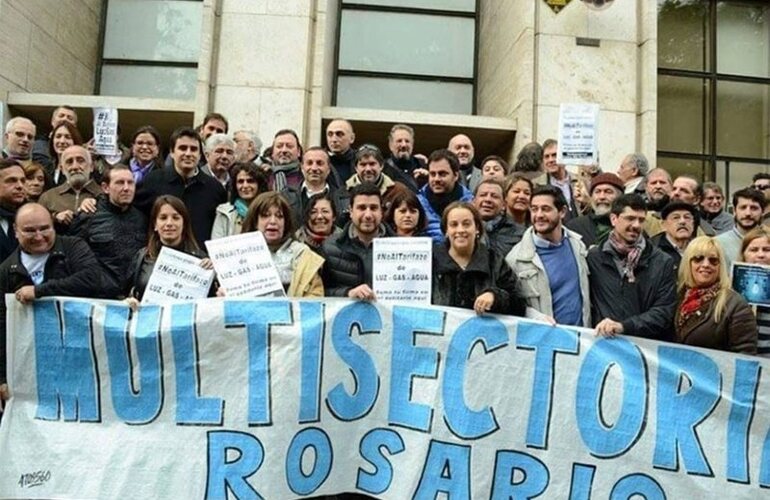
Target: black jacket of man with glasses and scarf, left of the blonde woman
{"x": 646, "y": 306}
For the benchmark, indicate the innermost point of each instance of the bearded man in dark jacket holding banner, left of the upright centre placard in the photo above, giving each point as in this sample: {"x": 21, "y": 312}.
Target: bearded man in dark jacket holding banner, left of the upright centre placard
{"x": 347, "y": 271}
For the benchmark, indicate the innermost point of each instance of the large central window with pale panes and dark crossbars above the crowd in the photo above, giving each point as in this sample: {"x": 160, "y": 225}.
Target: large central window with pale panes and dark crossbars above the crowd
{"x": 417, "y": 55}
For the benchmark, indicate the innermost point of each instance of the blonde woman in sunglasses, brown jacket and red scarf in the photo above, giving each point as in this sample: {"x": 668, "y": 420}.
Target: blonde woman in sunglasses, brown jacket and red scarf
{"x": 710, "y": 314}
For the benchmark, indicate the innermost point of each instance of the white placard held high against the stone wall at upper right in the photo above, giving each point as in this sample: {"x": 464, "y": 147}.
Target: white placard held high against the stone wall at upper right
{"x": 578, "y": 134}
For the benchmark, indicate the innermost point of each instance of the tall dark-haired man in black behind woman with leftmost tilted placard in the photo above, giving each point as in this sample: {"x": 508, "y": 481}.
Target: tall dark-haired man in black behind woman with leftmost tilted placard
{"x": 200, "y": 193}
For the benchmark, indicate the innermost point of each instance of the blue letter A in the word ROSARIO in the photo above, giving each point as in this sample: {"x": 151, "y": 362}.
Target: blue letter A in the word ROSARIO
{"x": 447, "y": 469}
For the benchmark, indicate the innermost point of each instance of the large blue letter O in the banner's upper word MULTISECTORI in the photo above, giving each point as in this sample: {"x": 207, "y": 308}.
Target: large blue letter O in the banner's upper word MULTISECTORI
{"x": 604, "y": 439}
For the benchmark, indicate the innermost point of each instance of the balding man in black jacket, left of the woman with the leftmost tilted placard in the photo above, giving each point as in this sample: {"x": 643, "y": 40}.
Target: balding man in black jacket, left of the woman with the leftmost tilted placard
{"x": 116, "y": 231}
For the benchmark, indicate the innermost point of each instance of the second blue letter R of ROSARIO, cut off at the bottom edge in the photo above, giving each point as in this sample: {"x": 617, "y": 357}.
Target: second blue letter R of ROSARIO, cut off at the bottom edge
{"x": 534, "y": 473}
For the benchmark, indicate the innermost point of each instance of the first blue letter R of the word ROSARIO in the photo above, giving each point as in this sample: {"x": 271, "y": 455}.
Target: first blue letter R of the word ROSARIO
{"x": 225, "y": 475}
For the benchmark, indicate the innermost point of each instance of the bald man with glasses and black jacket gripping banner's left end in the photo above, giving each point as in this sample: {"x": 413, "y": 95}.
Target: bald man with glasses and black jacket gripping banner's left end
{"x": 44, "y": 265}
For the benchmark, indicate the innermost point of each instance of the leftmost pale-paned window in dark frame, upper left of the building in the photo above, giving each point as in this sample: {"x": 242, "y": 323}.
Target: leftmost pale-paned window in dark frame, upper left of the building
{"x": 151, "y": 48}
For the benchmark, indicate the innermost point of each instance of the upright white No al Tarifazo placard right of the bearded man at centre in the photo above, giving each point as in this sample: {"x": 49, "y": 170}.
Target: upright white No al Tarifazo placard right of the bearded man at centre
{"x": 402, "y": 269}
